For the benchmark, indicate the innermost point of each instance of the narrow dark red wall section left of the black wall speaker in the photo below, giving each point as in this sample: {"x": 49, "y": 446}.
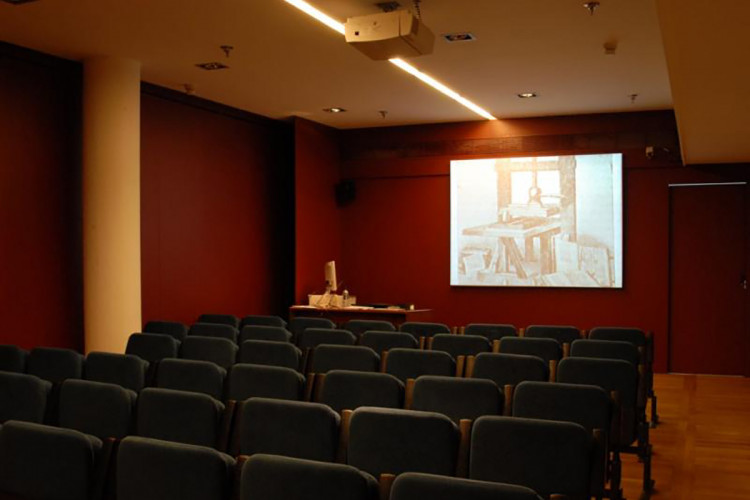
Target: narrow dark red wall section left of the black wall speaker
{"x": 317, "y": 218}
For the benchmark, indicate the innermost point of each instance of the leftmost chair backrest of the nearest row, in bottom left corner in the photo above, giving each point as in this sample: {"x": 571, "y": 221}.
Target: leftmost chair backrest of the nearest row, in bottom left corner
{"x": 38, "y": 461}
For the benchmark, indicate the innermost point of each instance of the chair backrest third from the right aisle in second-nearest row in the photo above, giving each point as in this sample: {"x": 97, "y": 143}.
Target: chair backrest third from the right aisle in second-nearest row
{"x": 288, "y": 428}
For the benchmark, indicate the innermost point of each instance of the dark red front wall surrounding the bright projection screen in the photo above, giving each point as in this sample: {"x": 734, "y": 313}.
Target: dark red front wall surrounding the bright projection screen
{"x": 396, "y": 234}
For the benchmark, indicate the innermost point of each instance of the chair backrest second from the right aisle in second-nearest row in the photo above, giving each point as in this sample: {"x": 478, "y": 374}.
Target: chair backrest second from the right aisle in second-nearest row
{"x": 392, "y": 441}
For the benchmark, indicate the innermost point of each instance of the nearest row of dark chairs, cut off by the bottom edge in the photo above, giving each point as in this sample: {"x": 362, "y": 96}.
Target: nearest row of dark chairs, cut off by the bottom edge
{"x": 77, "y": 466}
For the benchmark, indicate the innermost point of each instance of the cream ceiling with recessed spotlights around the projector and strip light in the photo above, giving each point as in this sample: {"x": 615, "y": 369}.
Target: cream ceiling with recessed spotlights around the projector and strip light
{"x": 285, "y": 63}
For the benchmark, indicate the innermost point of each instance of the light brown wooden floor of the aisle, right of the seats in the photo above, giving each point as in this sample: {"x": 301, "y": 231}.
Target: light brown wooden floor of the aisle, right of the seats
{"x": 702, "y": 444}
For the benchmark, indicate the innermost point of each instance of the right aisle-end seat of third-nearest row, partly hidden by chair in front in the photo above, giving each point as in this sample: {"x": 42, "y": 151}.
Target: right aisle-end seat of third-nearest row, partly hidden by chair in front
{"x": 586, "y": 405}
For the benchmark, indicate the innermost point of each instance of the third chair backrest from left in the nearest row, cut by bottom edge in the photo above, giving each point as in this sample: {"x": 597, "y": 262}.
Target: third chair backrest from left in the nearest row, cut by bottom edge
{"x": 262, "y": 476}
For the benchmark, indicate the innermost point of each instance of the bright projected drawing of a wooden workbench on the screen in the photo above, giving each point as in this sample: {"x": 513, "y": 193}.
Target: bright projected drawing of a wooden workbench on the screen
{"x": 548, "y": 221}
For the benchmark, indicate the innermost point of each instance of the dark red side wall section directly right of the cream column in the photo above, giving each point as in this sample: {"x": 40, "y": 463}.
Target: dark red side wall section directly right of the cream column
{"x": 215, "y": 223}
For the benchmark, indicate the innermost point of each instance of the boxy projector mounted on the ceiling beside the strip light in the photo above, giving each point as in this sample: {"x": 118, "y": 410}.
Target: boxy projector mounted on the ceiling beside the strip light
{"x": 389, "y": 34}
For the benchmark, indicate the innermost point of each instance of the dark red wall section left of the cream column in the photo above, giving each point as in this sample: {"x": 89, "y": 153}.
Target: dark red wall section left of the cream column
{"x": 40, "y": 231}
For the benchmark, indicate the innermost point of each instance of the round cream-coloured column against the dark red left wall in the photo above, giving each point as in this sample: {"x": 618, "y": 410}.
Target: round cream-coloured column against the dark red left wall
{"x": 111, "y": 202}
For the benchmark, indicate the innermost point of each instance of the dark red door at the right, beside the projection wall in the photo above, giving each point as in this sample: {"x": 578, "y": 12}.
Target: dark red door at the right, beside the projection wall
{"x": 708, "y": 271}
